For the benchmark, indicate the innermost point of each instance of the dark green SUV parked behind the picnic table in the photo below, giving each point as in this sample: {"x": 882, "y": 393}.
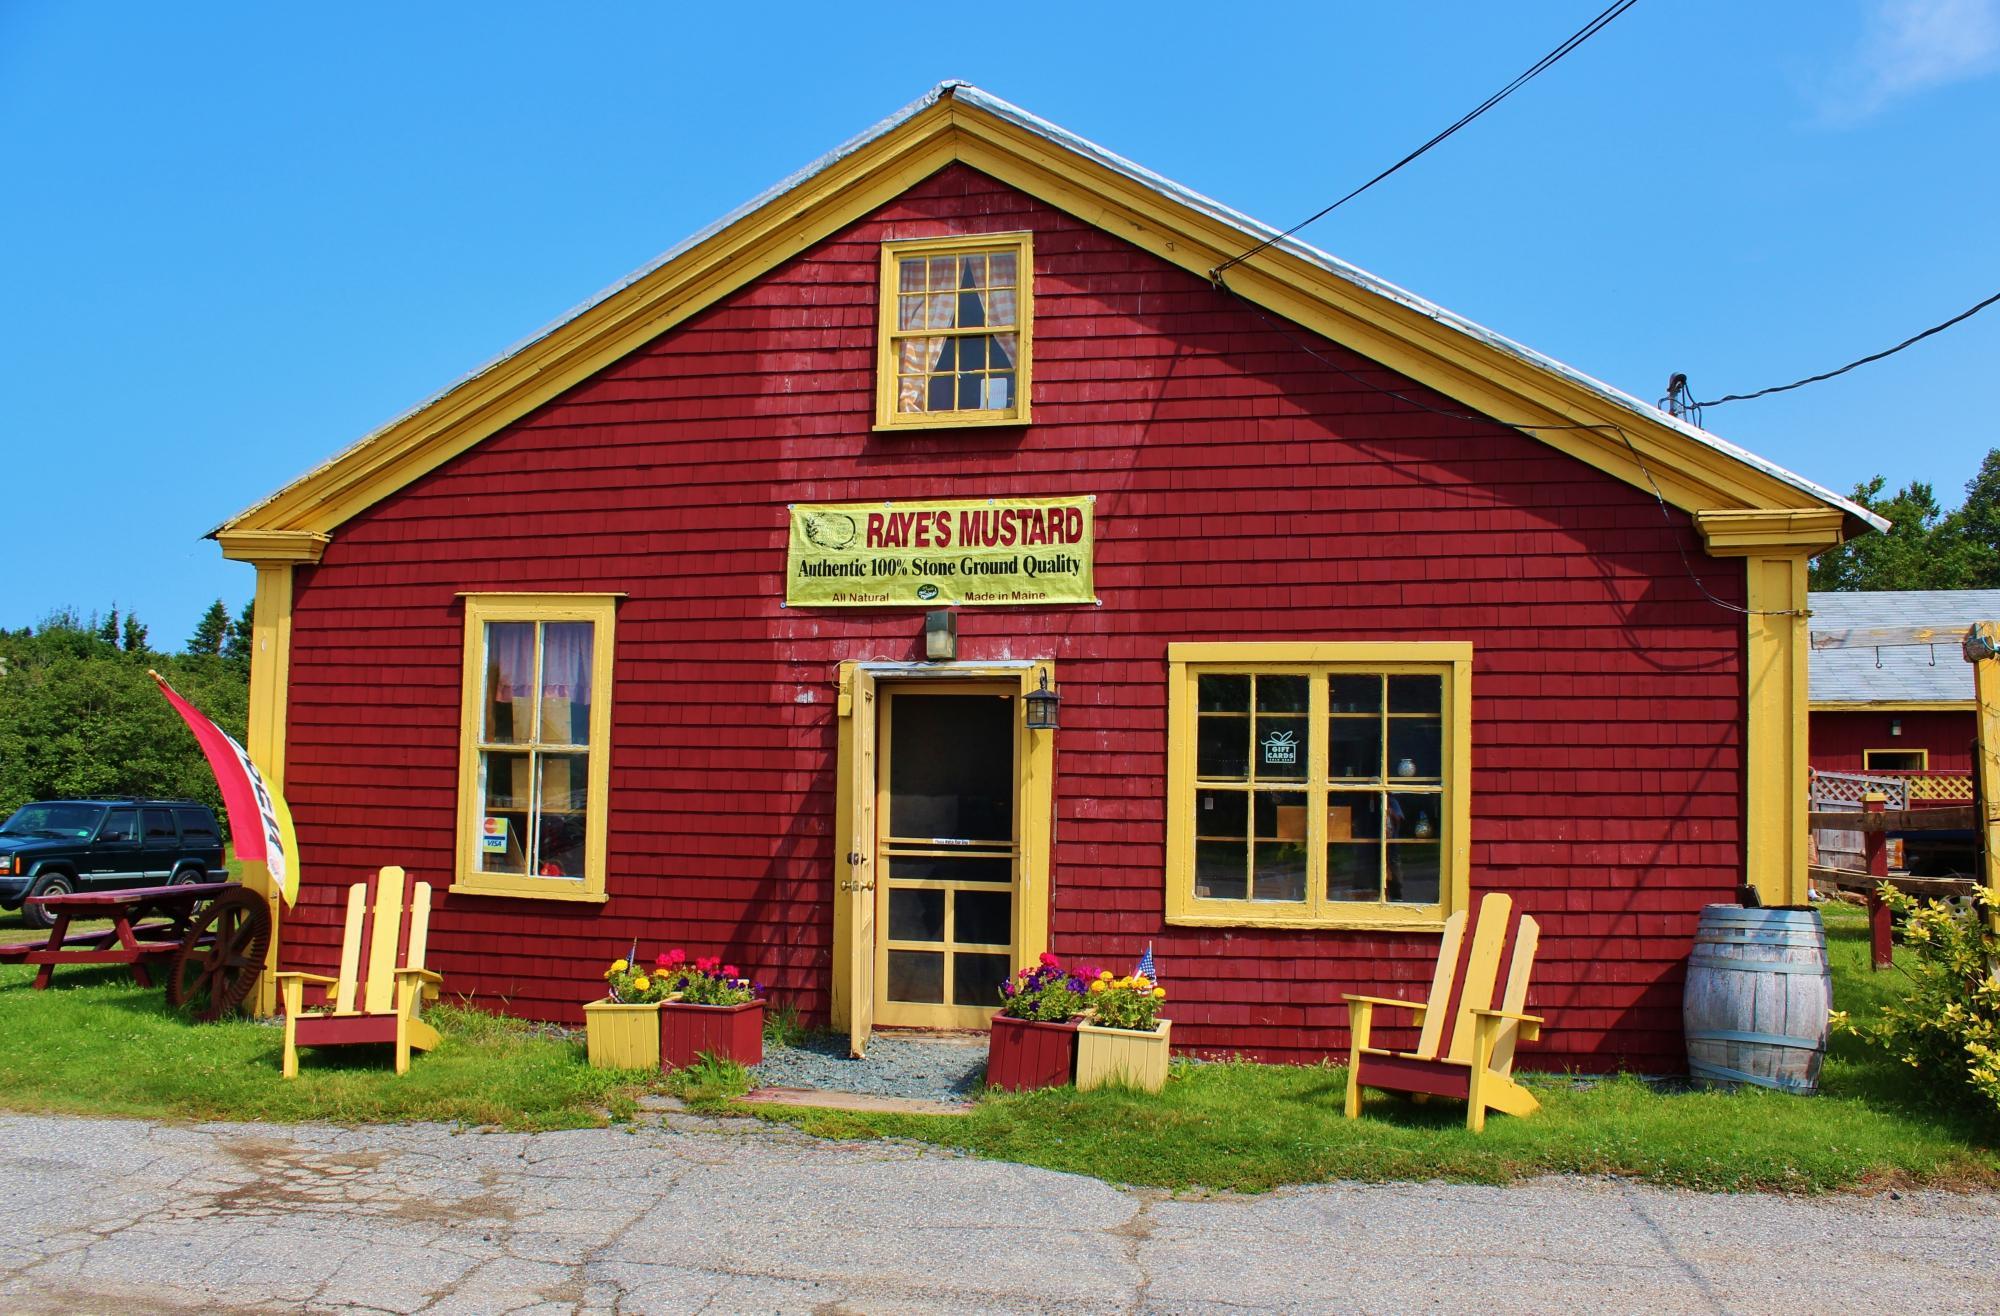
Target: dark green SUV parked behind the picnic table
{"x": 105, "y": 845}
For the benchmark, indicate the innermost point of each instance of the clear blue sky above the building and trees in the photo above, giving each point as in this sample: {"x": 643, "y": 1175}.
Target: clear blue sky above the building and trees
{"x": 243, "y": 237}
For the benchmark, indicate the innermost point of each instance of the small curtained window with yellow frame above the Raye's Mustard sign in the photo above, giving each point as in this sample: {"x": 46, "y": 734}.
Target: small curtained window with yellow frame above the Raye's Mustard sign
{"x": 957, "y": 329}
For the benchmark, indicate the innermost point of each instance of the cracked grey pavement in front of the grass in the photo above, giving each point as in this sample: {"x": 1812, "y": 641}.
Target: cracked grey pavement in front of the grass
{"x": 691, "y": 1215}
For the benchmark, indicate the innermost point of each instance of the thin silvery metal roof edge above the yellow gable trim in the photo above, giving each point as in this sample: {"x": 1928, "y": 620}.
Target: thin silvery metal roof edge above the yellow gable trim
{"x": 1255, "y": 231}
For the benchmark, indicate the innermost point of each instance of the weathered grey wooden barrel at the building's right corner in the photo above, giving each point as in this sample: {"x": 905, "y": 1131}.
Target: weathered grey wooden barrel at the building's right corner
{"x": 1759, "y": 991}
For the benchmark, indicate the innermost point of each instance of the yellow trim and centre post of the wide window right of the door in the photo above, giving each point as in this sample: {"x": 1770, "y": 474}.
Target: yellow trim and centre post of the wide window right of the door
{"x": 1433, "y": 657}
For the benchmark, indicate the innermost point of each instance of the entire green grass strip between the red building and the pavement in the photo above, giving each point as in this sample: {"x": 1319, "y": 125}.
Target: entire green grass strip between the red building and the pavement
{"x": 99, "y": 1045}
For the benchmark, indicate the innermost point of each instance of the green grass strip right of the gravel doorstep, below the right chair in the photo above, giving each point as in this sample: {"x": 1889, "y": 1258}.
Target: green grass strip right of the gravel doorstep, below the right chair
{"x": 1251, "y": 1127}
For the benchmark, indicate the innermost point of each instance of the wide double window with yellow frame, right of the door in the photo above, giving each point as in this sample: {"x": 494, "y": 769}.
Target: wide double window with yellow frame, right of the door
{"x": 1319, "y": 785}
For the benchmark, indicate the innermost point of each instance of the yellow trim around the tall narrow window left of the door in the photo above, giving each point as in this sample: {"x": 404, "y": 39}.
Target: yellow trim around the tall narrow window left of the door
{"x": 483, "y": 609}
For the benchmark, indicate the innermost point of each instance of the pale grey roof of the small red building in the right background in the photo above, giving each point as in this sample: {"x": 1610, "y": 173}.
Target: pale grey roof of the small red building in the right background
{"x": 1905, "y": 673}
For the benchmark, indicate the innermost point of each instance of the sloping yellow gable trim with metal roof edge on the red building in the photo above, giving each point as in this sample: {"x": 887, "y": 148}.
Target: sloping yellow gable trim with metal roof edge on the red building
{"x": 1563, "y": 407}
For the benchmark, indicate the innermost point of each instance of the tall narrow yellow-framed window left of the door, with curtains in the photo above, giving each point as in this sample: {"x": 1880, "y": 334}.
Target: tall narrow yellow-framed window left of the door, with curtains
{"x": 535, "y": 745}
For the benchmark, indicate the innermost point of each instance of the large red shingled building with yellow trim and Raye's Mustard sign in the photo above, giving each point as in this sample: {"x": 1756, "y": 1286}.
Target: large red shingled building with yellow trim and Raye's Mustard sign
{"x": 1355, "y": 611}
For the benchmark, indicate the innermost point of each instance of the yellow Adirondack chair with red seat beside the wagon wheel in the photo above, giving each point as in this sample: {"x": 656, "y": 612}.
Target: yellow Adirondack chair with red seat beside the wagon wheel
{"x": 373, "y": 1001}
